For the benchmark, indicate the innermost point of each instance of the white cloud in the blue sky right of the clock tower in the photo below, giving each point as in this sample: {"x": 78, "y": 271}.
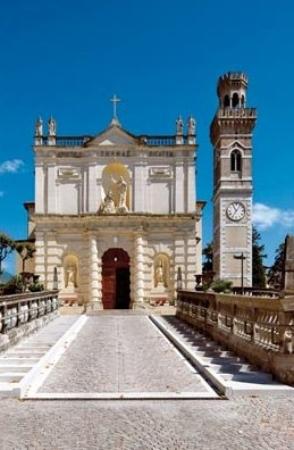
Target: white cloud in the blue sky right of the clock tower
{"x": 265, "y": 216}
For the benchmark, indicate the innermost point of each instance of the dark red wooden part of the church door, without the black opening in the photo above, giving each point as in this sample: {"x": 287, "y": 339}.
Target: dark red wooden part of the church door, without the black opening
{"x": 112, "y": 260}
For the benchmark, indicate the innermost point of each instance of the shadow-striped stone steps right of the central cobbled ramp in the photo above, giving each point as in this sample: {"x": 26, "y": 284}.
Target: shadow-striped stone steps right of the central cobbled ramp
{"x": 230, "y": 374}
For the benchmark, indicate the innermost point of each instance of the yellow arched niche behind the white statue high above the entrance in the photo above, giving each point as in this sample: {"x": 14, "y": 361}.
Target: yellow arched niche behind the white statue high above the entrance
{"x": 113, "y": 176}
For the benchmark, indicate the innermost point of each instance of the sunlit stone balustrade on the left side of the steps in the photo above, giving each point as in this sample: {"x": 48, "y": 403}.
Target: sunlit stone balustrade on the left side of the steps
{"x": 21, "y": 314}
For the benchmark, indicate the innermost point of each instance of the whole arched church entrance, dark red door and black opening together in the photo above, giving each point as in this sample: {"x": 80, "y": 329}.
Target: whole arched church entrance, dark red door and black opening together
{"x": 115, "y": 279}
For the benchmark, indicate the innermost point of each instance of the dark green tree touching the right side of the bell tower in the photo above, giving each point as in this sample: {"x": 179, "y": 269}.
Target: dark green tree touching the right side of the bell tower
{"x": 258, "y": 270}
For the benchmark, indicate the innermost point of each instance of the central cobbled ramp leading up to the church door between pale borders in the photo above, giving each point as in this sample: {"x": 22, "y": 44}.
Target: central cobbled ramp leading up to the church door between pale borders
{"x": 122, "y": 354}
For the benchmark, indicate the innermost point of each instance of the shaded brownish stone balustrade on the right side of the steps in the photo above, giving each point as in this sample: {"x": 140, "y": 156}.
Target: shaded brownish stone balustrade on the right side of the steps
{"x": 259, "y": 329}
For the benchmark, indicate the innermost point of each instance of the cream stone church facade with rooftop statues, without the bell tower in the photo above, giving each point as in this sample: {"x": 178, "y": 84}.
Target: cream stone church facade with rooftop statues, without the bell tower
{"x": 115, "y": 219}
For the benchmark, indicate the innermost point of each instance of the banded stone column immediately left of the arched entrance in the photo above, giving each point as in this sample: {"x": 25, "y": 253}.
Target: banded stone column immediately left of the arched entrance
{"x": 94, "y": 285}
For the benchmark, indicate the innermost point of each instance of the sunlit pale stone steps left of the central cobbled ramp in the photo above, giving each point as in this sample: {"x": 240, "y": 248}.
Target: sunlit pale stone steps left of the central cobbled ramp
{"x": 17, "y": 361}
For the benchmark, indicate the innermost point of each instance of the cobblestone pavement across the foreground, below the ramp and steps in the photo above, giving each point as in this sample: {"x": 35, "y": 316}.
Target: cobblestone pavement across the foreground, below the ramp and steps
{"x": 242, "y": 424}
